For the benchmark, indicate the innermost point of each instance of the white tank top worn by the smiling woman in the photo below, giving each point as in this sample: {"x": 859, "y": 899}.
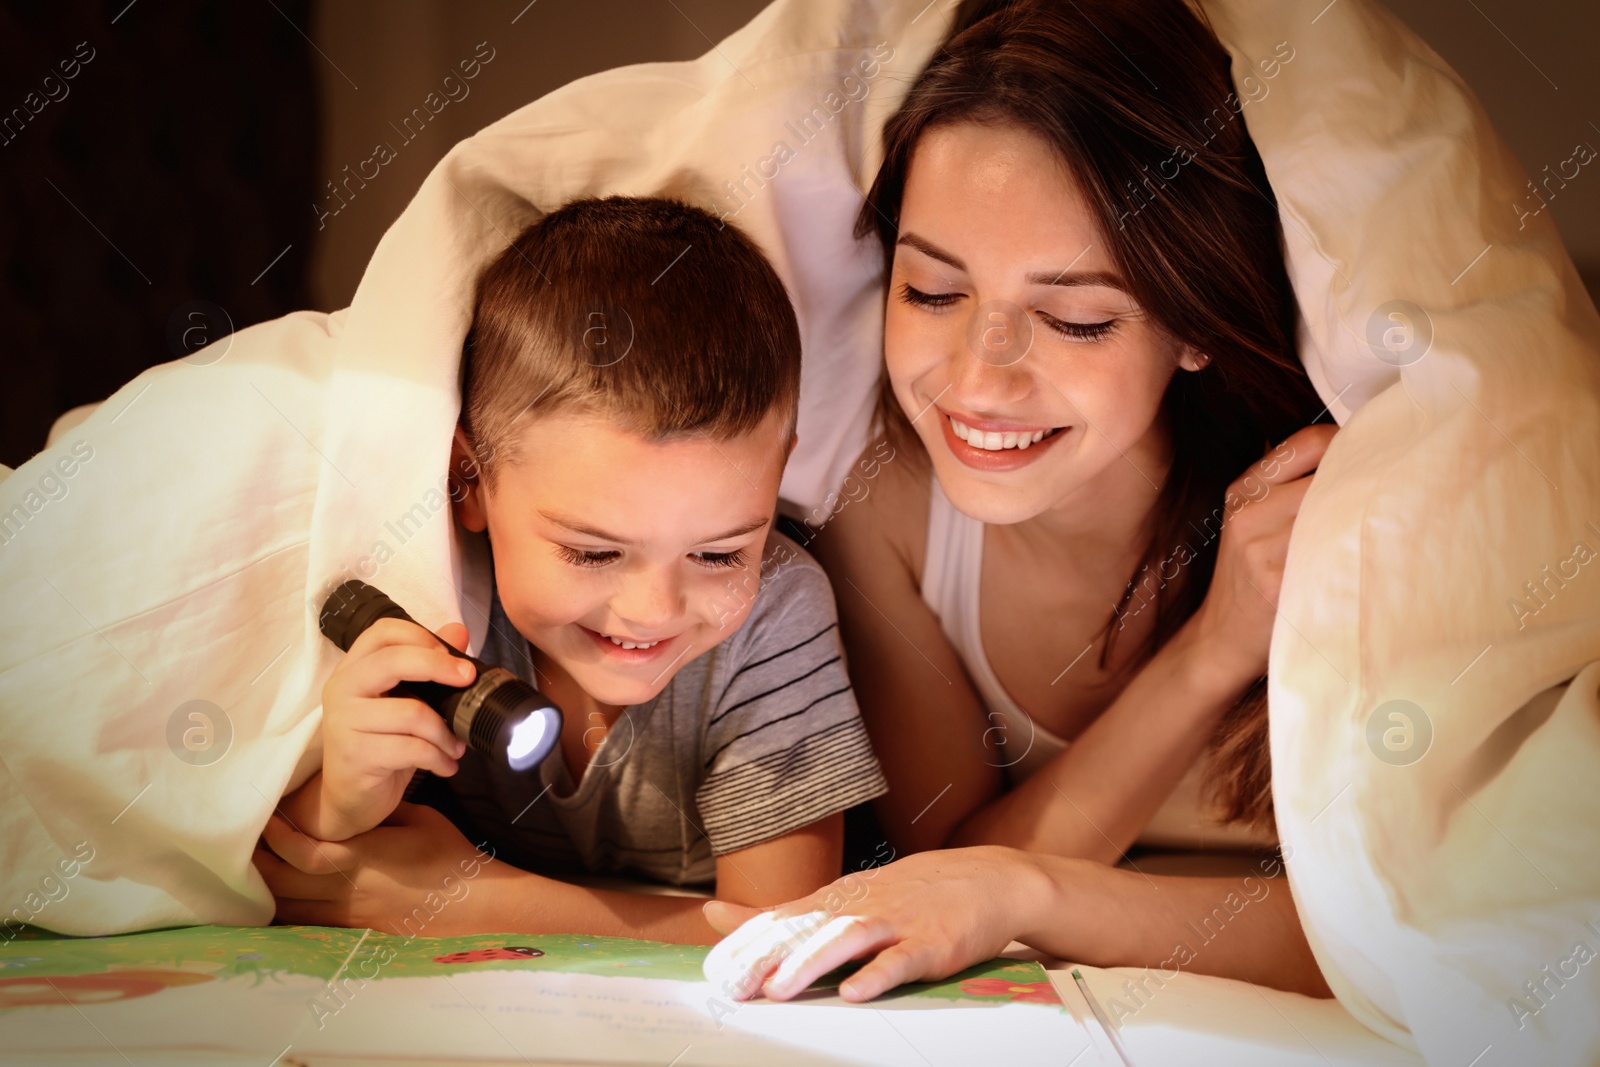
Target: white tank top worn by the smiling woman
{"x": 951, "y": 573}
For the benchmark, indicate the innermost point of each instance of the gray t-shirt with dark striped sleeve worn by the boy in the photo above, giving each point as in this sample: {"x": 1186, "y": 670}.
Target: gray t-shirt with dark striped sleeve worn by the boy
{"x": 753, "y": 740}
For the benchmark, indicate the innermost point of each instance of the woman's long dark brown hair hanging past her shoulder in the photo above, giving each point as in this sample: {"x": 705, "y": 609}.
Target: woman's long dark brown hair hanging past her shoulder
{"x": 1138, "y": 103}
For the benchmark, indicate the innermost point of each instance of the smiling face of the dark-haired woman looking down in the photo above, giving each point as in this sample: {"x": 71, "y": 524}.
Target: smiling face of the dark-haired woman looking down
{"x": 1012, "y": 345}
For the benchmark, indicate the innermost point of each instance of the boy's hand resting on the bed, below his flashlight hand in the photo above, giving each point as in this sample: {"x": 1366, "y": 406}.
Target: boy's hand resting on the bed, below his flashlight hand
{"x": 410, "y": 876}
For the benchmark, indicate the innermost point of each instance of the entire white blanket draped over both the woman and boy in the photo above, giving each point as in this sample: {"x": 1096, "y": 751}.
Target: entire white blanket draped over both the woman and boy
{"x": 161, "y": 665}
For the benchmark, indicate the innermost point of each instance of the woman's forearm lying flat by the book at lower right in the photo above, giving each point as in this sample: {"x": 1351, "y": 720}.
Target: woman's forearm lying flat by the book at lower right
{"x": 1242, "y": 929}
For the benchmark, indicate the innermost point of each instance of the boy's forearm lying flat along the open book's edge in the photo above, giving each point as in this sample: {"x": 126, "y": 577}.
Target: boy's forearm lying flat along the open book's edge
{"x": 524, "y": 903}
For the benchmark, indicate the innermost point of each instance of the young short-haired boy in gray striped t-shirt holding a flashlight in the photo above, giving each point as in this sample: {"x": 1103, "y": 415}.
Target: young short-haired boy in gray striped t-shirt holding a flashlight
{"x": 631, "y": 391}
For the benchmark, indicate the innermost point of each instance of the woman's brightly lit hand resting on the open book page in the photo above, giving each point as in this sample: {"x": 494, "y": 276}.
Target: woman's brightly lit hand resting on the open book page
{"x": 922, "y": 917}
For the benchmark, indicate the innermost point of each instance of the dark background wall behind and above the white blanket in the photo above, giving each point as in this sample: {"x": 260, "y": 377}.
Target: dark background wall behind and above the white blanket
{"x": 186, "y": 156}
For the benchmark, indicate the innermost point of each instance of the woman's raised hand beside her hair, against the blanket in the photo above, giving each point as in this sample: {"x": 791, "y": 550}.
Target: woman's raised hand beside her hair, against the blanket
{"x": 1234, "y": 623}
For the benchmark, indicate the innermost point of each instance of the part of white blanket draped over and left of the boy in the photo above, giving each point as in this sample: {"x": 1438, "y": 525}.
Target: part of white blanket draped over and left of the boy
{"x": 164, "y": 561}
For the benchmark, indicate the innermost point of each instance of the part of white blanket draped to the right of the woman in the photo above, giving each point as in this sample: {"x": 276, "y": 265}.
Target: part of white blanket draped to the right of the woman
{"x": 1436, "y": 725}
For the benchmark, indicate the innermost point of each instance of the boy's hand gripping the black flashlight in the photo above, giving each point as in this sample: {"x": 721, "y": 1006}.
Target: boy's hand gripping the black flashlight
{"x": 374, "y": 741}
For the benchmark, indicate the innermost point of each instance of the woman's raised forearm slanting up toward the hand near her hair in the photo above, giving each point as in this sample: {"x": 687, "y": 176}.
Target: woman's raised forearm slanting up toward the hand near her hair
{"x": 1094, "y": 799}
